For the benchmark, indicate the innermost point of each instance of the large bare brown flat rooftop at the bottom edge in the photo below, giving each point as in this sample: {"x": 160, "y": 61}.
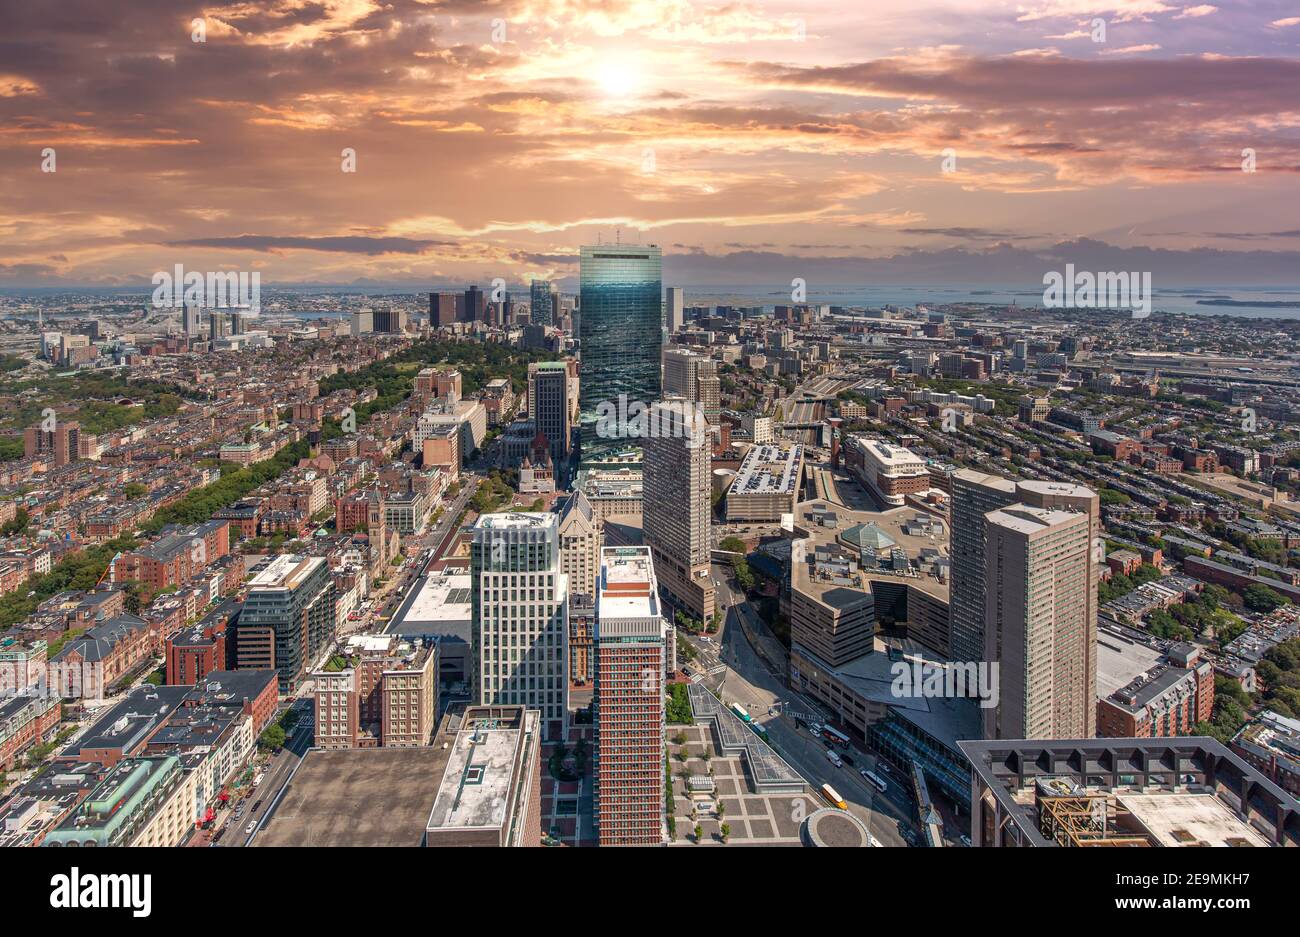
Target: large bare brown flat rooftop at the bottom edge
{"x": 359, "y": 797}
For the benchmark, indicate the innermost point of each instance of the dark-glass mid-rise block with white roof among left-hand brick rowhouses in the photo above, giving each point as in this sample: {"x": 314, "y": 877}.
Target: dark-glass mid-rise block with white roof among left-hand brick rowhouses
{"x": 288, "y": 618}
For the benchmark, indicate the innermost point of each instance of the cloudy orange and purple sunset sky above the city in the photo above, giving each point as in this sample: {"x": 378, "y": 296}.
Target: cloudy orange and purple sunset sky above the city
{"x": 842, "y": 142}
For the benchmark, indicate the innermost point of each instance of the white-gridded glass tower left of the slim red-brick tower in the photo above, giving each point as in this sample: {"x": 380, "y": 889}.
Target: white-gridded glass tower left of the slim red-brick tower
{"x": 519, "y": 608}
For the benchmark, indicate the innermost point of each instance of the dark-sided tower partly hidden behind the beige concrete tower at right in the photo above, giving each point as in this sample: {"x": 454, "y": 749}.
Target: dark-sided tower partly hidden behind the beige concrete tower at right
{"x": 974, "y": 496}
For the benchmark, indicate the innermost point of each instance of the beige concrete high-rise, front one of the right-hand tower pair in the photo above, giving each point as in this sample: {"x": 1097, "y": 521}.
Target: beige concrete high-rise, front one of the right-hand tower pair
{"x": 1037, "y": 605}
